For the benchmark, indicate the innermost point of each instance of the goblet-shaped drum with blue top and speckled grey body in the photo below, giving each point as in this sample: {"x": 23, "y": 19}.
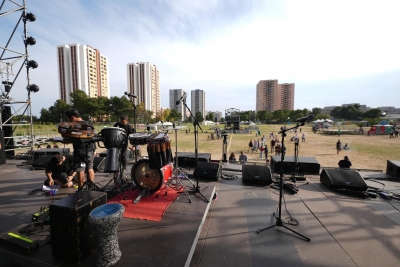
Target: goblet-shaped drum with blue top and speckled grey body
{"x": 105, "y": 220}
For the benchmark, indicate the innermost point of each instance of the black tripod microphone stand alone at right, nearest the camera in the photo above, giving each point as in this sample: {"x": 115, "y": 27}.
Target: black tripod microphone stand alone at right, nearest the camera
{"x": 279, "y": 221}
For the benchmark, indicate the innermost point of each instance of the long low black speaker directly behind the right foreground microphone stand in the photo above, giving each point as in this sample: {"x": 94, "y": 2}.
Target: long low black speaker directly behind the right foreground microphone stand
{"x": 307, "y": 165}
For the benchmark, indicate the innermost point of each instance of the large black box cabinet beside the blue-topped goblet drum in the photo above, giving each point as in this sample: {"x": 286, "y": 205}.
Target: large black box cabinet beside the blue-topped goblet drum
{"x": 72, "y": 237}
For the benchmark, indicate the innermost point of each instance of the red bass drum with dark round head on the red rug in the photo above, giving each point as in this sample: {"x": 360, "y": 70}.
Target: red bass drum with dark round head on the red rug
{"x": 151, "y": 179}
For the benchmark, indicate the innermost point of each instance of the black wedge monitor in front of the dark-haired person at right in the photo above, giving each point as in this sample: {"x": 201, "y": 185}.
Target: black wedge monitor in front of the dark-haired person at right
{"x": 343, "y": 179}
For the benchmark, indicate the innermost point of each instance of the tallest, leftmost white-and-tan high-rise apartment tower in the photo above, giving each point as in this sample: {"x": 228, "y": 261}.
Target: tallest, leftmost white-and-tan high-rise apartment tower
{"x": 82, "y": 67}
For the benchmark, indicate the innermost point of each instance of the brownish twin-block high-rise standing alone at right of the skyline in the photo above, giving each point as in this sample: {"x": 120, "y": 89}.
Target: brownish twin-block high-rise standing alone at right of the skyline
{"x": 272, "y": 96}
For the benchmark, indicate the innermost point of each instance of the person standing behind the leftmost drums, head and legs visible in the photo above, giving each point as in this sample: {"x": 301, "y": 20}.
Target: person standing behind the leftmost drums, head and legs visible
{"x": 80, "y": 150}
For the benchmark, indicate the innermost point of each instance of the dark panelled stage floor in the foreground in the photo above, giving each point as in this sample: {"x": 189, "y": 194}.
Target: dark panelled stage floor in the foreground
{"x": 344, "y": 230}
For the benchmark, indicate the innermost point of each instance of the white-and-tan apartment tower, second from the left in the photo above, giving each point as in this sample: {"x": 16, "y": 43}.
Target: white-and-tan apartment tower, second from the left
{"x": 144, "y": 82}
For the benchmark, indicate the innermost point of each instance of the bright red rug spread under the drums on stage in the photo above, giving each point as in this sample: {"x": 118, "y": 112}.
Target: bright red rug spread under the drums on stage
{"x": 150, "y": 208}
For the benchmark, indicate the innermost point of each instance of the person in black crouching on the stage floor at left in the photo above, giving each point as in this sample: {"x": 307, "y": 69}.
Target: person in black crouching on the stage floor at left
{"x": 60, "y": 171}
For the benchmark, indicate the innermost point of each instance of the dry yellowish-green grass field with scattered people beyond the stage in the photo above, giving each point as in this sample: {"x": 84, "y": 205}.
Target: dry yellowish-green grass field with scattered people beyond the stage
{"x": 365, "y": 152}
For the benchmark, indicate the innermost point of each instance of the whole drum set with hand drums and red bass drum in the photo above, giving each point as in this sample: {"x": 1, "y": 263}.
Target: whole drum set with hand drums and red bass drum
{"x": 148, "y": 175}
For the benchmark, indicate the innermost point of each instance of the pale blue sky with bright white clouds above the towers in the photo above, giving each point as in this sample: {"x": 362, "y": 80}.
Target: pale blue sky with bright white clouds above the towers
{"x": 335, "y": 51}
